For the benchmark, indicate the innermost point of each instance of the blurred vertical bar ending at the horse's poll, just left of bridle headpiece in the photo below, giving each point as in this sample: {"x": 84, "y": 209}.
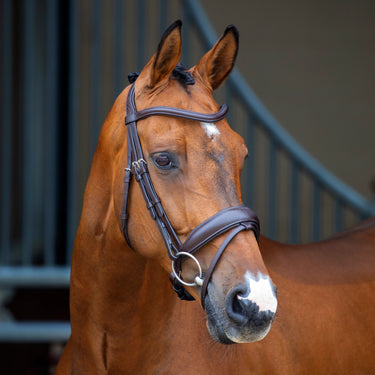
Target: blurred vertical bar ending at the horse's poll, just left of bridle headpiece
{"x": 119, "y": 45}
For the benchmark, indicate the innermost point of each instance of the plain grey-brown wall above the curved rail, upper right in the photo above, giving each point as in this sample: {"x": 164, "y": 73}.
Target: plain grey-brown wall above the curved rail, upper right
{"x": 312, "y": 63}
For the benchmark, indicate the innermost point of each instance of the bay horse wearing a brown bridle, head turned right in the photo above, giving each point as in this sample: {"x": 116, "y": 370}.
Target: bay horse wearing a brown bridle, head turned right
{"x": 177, "y": 153}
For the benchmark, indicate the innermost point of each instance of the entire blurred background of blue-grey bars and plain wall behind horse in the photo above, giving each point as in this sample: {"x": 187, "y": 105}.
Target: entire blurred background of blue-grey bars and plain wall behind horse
{"x": 302, "y": 97}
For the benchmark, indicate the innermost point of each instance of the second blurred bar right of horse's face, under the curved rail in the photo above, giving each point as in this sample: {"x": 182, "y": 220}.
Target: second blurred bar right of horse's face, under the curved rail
{"x": 272, "y": 180}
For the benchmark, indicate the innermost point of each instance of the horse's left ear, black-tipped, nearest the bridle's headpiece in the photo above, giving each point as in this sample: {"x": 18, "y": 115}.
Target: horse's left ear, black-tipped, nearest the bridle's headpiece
{"x": 166, "y": 57}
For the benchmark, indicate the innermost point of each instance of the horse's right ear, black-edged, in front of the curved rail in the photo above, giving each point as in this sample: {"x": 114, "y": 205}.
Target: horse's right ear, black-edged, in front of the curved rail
{"x": 216, "y": 64}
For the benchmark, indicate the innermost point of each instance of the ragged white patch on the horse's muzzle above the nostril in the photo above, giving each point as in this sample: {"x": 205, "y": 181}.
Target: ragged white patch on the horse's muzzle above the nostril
{"x": 260, "y": 292}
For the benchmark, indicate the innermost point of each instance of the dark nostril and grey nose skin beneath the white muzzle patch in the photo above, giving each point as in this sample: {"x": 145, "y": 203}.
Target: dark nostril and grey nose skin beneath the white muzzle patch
{"x": 243, "y": 311}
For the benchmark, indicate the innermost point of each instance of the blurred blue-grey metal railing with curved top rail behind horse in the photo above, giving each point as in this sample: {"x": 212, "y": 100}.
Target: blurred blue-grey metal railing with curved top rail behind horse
{"x": 62, "y": 67}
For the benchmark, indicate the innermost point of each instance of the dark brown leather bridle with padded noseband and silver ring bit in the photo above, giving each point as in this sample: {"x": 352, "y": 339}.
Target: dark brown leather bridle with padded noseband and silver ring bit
{"x": 236, "y": 219}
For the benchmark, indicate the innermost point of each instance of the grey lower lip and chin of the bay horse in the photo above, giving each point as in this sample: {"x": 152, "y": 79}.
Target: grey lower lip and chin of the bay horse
{"x": 226, "y": 332}
